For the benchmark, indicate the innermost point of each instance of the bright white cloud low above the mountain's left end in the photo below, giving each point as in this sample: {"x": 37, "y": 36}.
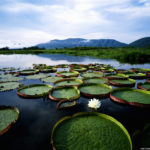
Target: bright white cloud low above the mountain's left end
{"x": 24, "y": 37}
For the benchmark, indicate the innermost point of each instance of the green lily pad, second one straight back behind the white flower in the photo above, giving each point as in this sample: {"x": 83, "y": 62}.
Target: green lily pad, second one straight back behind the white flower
{"x": 98, "y": 80}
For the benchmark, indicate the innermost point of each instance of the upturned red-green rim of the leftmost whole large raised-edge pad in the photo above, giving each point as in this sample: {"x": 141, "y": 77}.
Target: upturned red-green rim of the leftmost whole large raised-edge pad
{"x": 33, "y": 96}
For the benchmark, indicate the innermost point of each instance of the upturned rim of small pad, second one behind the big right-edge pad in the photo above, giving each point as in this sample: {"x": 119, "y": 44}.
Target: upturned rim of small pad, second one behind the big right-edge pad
{"x": 119, "y": 76}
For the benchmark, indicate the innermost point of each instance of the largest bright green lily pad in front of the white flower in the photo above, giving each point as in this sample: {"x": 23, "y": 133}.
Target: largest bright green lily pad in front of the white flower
{"x": 88, "y": 131}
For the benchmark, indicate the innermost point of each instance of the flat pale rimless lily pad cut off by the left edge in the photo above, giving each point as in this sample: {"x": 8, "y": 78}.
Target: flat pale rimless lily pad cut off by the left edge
{"x": 7, "y": 86}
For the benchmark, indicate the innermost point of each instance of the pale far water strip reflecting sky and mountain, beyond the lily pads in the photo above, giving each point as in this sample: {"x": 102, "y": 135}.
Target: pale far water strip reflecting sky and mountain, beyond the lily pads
{"x": 25, "y": 61}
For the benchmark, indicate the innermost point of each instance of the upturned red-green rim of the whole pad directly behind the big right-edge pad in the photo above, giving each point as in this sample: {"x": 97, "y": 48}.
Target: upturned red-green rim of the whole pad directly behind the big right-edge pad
{"x": 122, "y": 84}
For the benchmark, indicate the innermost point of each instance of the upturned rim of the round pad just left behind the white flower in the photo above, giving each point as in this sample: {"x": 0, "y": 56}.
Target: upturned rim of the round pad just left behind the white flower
{"x": 62, "y": 87}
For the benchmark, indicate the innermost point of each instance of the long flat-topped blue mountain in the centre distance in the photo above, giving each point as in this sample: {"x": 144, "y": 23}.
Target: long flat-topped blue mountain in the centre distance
{"x": 79, "y": 42}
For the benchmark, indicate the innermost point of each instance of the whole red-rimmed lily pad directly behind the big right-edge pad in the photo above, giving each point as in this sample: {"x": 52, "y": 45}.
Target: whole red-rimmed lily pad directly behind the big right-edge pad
{"x": 123, "y": 83}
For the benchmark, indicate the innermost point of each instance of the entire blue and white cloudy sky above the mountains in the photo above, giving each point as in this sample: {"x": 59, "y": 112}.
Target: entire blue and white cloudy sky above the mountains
{"x": 26, "y": 23}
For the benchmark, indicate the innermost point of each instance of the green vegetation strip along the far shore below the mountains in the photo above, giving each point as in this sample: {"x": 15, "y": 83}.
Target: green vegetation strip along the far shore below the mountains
{"x": 123, "y": 55}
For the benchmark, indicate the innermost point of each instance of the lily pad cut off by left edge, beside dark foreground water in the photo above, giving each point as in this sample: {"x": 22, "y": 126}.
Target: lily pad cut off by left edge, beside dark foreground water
{"x": 8, "y": 116}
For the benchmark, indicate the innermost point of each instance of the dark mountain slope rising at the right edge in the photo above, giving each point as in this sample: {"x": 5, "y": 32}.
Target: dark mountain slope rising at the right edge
{"x": 143, "y": 42}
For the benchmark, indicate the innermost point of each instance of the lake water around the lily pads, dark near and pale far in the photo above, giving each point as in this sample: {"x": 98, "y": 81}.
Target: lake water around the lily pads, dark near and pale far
{"x": 38, "y": 116}
